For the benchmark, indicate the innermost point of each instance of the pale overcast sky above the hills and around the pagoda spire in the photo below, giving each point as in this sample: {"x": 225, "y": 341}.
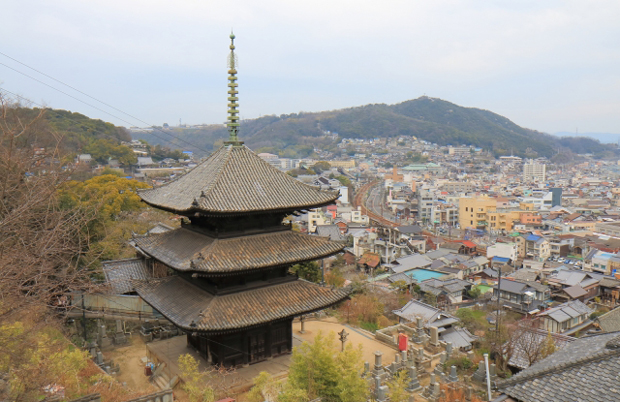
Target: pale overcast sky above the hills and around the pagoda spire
{"x": 547, "y": 65}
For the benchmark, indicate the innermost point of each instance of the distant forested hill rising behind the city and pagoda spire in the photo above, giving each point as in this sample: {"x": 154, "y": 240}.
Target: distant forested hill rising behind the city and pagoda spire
{"x": 430, "y": 119}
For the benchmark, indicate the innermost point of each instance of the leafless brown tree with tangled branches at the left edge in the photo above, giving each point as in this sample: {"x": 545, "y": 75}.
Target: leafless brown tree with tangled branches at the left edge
{"x": 39, "y": 241}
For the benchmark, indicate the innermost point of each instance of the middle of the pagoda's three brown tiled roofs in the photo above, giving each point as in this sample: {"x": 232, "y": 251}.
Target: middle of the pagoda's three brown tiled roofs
{"x": 188, "y": 250}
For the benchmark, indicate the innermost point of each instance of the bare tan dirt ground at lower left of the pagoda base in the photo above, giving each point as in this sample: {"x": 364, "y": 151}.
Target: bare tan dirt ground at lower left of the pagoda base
{"x": 132, "y": 367}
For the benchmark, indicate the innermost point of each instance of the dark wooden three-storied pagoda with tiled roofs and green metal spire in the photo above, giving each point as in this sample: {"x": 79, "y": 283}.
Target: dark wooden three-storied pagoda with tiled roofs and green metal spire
{"x": 230, "y": 289}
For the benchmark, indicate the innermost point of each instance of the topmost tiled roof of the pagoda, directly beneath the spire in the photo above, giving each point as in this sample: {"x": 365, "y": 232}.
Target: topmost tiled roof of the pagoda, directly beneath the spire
{"x": 234, "y": 180}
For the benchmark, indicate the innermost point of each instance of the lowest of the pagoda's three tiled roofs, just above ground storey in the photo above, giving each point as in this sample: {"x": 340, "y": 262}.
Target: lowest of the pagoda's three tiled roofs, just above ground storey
{"x": 194, "y": 309}
